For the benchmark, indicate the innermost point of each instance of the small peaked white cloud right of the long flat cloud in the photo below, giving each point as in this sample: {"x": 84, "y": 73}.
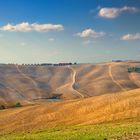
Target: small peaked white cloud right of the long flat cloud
{"x": 90, "y": 33}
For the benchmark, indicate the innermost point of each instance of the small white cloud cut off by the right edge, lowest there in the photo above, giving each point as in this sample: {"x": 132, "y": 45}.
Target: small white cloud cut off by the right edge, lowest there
{"x": 131, "y": 37}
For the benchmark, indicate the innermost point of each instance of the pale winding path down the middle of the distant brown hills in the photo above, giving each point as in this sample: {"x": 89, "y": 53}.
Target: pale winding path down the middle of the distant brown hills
{"x": 73, "y": 82}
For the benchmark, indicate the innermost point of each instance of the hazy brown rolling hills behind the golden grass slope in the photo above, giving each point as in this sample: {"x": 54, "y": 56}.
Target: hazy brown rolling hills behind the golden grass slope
{"x": 29, "y": 83}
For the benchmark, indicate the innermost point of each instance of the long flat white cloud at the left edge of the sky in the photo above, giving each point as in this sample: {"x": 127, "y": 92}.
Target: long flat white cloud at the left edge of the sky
{"x": 25, "y": 27}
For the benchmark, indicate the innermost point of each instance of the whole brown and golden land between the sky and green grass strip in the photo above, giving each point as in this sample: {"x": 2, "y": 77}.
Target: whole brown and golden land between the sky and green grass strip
{"x": 90, "y": 94}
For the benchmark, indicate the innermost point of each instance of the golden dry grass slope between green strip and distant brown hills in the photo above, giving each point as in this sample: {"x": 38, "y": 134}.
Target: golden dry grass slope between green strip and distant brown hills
{"x": 109, "y": 107}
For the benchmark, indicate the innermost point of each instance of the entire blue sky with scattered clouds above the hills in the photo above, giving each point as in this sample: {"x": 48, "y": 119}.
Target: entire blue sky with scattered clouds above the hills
{"x": 38, "y": 31}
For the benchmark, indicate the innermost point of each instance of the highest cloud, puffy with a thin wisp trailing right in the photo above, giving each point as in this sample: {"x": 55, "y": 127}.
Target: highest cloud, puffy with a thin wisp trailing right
{"x": 115, "y": 12}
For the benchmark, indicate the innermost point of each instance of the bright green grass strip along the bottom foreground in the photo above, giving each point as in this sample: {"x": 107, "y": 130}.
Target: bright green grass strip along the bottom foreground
{"x": 86, "y": 132}
